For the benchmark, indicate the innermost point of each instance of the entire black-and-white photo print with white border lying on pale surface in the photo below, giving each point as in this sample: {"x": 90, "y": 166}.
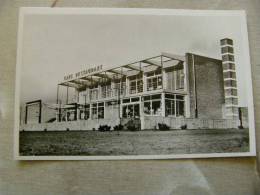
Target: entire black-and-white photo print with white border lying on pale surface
{"x": 103, "y": 83}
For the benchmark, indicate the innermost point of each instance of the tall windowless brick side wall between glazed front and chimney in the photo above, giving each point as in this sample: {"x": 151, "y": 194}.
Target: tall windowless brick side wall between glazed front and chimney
{"x": 206, "y": 86}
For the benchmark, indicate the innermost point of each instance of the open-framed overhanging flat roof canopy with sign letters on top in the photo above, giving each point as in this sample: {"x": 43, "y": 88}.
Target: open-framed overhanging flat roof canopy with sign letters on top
{"x": 94, "y": 74}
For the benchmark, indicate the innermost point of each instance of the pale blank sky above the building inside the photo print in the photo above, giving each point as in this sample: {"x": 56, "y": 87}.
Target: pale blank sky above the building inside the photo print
{"x": 55, "y": 45}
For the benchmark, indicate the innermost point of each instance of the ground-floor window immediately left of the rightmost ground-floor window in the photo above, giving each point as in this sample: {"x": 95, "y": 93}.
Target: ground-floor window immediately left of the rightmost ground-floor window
{"x": 152, "y": 105}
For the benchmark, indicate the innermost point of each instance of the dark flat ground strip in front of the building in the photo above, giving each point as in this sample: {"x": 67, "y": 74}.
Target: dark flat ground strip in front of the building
{"x": 133, "y": 143}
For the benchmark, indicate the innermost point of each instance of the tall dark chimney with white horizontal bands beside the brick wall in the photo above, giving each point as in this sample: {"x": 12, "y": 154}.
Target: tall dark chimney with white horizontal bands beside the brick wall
{"x": 230, "y": 82}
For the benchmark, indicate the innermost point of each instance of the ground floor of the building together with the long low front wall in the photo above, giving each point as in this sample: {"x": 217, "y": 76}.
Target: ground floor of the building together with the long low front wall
{"x": 146, "y": 111}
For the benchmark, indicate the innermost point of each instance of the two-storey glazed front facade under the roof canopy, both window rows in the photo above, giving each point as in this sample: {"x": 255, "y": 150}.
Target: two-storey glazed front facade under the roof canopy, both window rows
{"x": 134, "y": 95}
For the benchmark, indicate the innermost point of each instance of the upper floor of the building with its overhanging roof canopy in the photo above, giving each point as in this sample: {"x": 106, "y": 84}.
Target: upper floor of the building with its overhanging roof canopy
{"x": 166, "y": 72}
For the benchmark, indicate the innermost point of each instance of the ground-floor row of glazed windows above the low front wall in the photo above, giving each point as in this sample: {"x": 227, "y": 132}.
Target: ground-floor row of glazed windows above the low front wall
{"x": 158, "y": 104}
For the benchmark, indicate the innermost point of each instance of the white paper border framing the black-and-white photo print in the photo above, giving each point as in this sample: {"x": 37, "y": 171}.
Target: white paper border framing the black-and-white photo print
{"x": 128, "y": 11}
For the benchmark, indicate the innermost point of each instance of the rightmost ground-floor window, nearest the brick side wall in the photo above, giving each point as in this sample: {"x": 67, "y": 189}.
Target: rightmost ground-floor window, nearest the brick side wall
{"x": 174, "y": 105}
